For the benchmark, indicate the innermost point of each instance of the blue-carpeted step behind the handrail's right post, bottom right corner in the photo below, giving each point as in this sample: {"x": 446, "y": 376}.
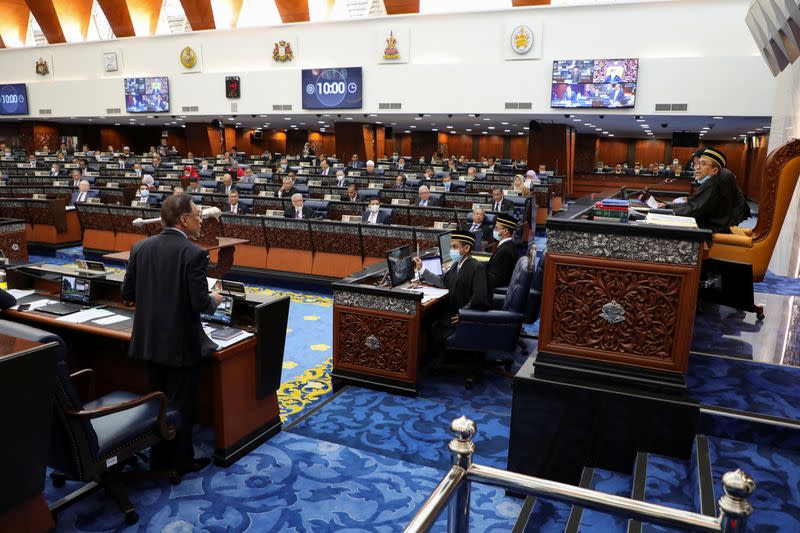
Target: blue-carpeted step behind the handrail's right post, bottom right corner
{"x": 776, "y": 500}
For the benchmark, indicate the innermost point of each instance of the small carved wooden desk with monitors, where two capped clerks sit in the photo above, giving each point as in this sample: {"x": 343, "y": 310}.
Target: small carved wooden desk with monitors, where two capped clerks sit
{"x": 378, "y": 332}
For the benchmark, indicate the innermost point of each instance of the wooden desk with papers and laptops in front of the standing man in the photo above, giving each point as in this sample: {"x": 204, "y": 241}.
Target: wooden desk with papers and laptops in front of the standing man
{"x": 238, "y": 389}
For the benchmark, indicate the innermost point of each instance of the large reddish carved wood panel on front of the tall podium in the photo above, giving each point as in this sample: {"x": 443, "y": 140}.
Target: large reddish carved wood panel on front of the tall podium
{"x": 617, "y": 310}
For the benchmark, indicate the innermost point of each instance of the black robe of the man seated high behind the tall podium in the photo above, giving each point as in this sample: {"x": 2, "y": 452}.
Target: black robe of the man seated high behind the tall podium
{"x": 712, "y": 205}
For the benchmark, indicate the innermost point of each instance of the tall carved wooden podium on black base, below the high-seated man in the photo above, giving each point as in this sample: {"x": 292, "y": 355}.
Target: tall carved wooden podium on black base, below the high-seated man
{"x": 606, "y": 381}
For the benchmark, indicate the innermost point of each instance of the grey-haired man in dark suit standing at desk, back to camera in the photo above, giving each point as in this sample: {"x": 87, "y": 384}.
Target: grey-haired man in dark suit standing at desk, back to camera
{"x": 166, "y": 278}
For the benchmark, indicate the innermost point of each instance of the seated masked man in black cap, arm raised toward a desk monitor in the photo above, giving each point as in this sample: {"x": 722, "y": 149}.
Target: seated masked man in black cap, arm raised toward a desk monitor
{"x": 465, "y": 280}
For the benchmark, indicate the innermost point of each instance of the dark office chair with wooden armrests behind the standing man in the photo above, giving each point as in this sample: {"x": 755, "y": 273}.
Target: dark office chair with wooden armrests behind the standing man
{"x": 93, "y": 442}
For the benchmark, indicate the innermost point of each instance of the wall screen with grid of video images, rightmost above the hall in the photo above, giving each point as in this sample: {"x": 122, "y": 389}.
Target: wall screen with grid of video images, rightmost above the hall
{"x": 605, "y": 83}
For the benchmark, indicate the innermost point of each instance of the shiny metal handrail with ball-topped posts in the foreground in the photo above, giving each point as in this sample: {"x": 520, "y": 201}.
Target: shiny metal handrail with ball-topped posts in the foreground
{"x": 733, "y": 505}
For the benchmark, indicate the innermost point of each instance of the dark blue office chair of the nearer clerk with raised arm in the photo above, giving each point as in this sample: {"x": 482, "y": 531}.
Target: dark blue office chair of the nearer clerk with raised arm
{"x": 498, "y": 329}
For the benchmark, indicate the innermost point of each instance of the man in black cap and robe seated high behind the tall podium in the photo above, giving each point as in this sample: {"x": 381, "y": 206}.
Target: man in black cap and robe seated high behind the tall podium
{"x": 715, "y": 203}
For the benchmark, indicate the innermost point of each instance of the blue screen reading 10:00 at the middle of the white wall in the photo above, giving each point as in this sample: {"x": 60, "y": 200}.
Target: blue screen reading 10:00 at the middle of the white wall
{"x": 332, "y": 88}
